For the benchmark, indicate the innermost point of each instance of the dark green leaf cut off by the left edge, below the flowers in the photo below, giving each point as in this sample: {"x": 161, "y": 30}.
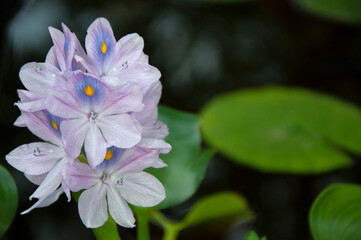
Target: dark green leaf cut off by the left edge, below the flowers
{"x": 8, "y": 200}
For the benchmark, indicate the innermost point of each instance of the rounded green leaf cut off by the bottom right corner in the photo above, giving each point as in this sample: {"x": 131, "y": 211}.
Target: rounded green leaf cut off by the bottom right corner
{"x": 336, "y": 213}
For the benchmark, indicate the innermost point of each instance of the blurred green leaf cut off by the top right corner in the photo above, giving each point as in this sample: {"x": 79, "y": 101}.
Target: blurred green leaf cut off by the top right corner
{"x": 342, "y": 10}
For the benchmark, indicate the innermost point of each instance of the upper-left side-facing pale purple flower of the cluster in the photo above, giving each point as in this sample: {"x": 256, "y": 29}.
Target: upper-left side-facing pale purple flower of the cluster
{"x": 39, "y": 78}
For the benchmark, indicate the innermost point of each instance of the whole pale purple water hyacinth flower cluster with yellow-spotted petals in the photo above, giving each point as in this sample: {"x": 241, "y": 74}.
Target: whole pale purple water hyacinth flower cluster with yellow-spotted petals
{"x": 96, "y": 111}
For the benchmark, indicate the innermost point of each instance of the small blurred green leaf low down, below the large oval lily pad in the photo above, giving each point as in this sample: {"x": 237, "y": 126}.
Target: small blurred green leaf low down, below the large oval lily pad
{"x": 219, "y": 206}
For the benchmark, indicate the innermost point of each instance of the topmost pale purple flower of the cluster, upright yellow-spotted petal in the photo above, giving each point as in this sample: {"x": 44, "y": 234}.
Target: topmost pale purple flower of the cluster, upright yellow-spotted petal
{"x": 116, "y": 63}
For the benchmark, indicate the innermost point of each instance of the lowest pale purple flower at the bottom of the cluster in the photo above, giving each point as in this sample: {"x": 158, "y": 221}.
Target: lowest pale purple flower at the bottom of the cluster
{"x": 118, "y": 180}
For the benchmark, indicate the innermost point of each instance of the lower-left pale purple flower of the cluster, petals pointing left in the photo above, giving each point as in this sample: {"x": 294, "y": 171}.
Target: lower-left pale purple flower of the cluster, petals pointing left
{"x": 41, "y": 160}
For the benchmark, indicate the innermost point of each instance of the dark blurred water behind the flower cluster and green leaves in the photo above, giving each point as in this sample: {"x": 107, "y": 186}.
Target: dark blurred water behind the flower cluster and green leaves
{"x": 202, "y": 49}
